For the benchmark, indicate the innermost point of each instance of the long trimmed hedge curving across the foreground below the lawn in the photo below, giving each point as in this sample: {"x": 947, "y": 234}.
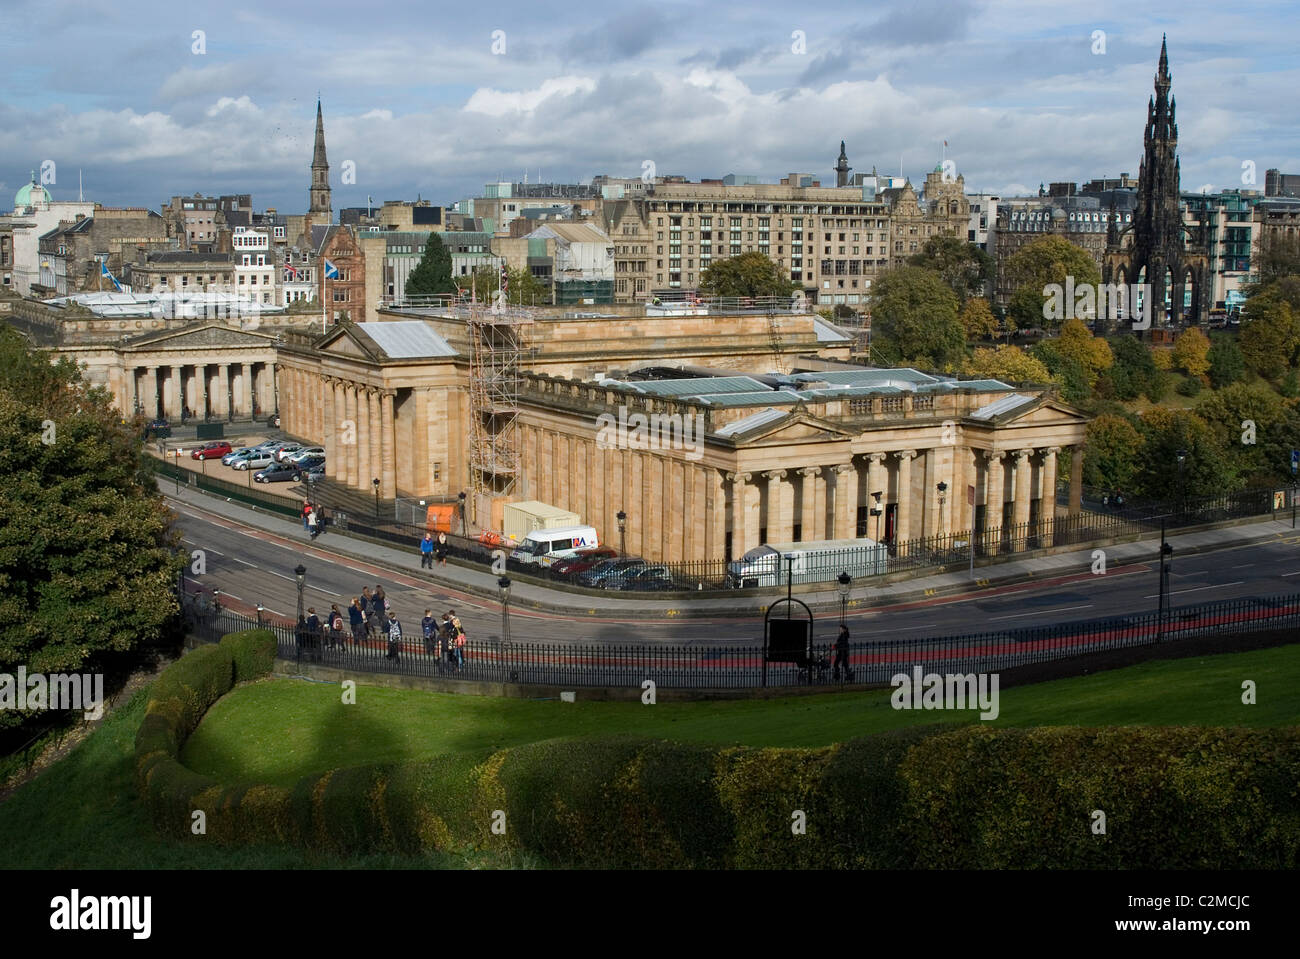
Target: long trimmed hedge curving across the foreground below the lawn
{"x": 930, "y": 797}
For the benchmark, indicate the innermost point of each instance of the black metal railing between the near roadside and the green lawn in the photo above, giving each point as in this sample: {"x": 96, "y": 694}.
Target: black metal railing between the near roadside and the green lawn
{"x": 736, "y": 666}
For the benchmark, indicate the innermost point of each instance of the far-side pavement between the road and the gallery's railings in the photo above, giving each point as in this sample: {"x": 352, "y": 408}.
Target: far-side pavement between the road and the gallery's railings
{"x": 1041, "y": 570}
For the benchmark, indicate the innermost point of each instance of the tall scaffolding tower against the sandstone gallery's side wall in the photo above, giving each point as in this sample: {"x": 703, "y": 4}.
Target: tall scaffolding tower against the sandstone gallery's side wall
{"x": 497, "y": 337}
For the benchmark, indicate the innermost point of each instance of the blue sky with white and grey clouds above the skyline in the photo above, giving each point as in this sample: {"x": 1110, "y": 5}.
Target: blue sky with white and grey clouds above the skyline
{"x": 430, "y": 99}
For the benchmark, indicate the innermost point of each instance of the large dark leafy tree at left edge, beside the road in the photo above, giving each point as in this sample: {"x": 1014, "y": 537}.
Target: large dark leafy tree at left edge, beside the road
{"x": 88, "y": 561}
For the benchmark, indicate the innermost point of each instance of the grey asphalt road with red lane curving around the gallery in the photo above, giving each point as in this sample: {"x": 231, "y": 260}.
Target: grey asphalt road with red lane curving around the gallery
{"x": 252, "y": 566}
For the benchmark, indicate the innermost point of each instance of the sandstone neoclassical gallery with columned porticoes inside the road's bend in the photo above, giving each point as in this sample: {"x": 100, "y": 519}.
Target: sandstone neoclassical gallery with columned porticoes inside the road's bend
{"x": 837, "y": 452}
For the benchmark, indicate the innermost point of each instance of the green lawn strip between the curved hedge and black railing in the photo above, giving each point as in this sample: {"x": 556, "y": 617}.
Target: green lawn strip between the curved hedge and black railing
{"x": 276, "y": 731}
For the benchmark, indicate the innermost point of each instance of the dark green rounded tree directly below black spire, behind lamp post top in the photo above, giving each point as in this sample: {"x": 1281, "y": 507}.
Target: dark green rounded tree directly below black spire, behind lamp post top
{"x": 1207, "y": 470}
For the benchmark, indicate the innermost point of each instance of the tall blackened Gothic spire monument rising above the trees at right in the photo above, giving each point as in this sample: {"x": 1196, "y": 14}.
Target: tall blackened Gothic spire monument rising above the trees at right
{"x": 1154, "y": 249}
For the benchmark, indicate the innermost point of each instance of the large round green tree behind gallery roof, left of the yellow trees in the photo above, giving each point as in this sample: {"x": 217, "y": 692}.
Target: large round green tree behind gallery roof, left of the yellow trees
{"x": 915, "y": 319}
